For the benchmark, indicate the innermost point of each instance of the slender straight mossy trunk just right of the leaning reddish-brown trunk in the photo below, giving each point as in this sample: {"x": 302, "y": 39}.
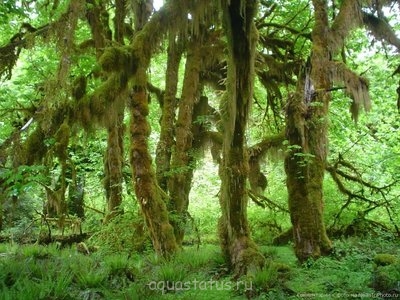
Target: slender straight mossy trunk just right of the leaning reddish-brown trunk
{"x": 179, "y": 183}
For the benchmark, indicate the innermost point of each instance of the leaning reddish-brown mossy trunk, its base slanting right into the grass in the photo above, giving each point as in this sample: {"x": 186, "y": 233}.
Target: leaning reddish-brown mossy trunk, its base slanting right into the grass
{"x": 150, "y": 196}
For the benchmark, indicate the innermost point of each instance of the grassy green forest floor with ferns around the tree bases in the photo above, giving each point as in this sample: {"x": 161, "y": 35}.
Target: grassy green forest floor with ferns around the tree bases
{"x": 366, "y": 268}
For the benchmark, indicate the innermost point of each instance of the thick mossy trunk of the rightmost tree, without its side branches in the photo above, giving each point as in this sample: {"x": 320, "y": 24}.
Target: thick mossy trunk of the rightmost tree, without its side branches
{"x": 306, "y": 132}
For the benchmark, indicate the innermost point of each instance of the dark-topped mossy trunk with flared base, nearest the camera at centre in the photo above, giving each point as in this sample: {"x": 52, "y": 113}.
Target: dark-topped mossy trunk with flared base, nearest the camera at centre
{"x": 237, "y": 245}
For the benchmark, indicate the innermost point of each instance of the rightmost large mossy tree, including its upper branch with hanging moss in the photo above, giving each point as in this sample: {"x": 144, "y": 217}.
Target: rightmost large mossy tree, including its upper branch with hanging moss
{"x": 307, "y": 121}
